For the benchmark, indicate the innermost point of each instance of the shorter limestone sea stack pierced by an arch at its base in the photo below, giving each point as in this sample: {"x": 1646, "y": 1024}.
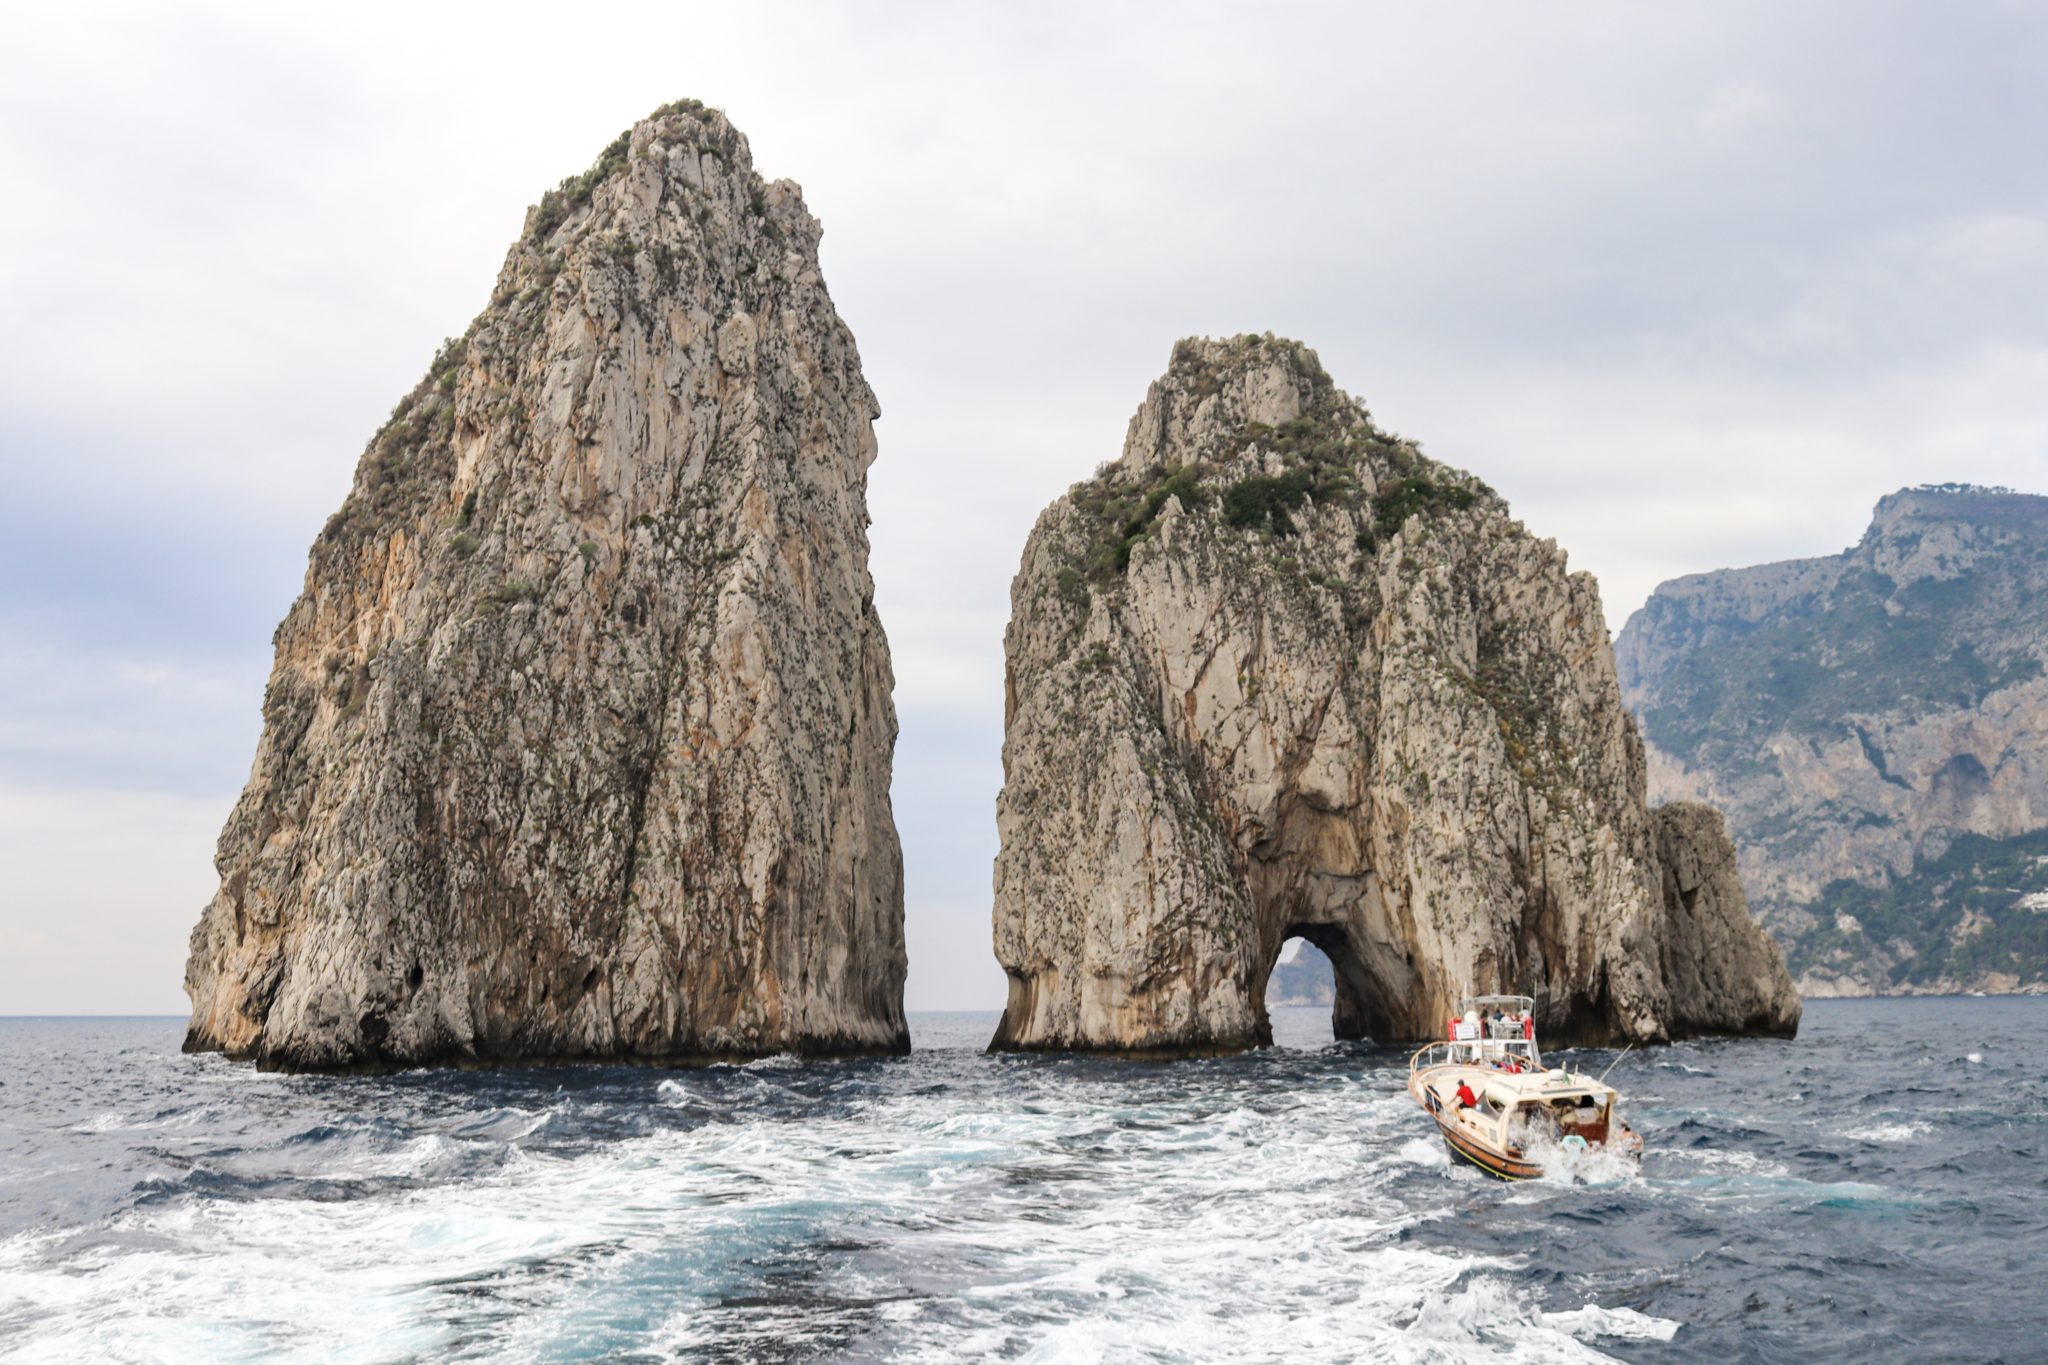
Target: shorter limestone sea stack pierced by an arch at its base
{"x": 1277, "y": 674}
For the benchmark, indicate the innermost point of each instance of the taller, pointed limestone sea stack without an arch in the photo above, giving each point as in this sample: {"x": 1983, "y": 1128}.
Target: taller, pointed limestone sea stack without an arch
{"x": 579, "y": 740}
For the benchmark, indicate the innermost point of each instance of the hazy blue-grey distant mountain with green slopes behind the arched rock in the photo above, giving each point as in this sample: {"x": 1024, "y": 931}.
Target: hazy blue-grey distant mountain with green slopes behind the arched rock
{"x": 1875, "y": 725}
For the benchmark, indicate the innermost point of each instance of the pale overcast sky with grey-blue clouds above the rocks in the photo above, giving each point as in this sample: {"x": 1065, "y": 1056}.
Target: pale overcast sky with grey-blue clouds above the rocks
{"x": 1691, "y": 283}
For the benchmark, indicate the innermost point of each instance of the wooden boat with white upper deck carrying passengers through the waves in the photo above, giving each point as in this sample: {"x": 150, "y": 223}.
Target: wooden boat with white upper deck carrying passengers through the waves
{"x": 1512, "y": 1112}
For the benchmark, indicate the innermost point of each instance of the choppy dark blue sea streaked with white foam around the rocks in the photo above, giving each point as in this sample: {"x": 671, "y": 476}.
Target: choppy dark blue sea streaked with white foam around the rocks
{"x": 1873, "y": 1192}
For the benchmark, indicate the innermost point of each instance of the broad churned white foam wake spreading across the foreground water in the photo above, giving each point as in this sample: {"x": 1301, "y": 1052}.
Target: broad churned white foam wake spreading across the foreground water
{"x": 1052, "y": 1217}
